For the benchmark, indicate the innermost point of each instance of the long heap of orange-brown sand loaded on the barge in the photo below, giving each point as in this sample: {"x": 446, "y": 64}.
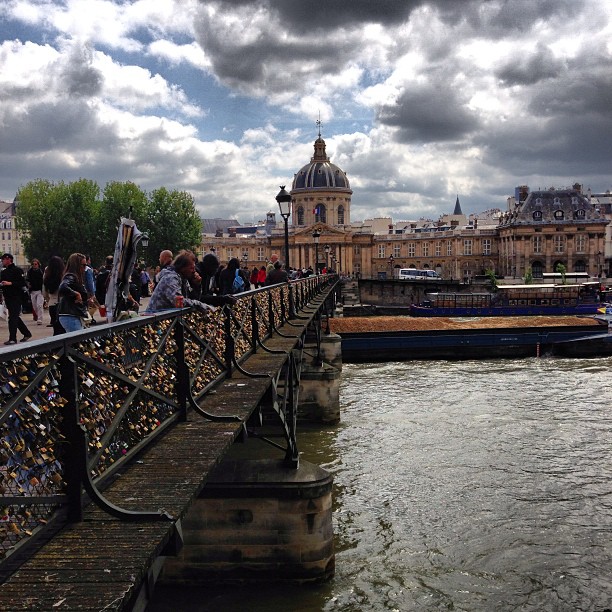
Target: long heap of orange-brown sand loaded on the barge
{"x": 397, "y": 324}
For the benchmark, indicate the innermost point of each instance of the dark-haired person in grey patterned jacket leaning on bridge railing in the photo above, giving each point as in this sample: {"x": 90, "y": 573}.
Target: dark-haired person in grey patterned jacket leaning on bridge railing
{"x": 179, "y": 279}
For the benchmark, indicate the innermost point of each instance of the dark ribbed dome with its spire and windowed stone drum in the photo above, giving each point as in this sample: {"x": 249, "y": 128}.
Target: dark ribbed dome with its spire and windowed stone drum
{"x": 321, "y": 192}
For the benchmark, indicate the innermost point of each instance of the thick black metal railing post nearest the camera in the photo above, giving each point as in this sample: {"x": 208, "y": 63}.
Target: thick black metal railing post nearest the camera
{"x": 73, "y": 454}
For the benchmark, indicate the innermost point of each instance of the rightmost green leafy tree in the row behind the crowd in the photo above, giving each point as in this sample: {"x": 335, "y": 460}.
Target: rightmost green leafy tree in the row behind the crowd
{"x": 172, "y": 223}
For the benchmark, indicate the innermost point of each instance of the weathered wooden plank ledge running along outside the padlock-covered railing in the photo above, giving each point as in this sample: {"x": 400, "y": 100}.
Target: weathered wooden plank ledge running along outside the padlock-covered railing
{"x": 103, "y": 563}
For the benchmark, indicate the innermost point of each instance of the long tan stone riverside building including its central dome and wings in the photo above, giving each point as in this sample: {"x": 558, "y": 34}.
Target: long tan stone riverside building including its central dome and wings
{"x": 536, "y": 232}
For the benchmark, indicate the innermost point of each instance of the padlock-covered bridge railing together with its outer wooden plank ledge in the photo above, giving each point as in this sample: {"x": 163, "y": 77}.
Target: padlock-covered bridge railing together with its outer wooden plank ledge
{"x": 133, "y": 417}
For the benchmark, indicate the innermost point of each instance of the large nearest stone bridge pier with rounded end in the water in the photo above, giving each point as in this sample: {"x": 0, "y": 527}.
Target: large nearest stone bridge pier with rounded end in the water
{"x": 257, "y": 520}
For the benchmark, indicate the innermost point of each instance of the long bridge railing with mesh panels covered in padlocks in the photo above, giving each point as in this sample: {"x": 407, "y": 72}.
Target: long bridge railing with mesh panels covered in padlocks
{"x": 76, "y": 407}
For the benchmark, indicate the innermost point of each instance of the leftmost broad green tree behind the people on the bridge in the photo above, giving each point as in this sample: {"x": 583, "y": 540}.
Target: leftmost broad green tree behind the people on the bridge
{"x": 57, "y": 218}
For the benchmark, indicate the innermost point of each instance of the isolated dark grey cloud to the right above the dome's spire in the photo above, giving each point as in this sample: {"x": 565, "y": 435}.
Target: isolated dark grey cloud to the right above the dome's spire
{"x": 427, "y": 115}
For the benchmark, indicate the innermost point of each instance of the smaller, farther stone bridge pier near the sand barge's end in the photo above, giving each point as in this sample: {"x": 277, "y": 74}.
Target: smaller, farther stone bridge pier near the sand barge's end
{"x": 319, "y": 396}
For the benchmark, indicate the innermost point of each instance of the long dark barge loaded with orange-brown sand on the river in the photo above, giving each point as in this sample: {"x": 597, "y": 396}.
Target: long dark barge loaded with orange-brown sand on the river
{"x": 399, "y": 338}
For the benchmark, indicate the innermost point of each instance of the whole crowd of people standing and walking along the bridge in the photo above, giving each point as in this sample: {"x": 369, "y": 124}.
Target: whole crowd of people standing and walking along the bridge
{"x": 73, "y": 291}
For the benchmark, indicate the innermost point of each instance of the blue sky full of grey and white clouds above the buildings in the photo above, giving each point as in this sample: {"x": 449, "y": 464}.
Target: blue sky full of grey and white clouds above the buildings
{"x": 419, "y": 100}
